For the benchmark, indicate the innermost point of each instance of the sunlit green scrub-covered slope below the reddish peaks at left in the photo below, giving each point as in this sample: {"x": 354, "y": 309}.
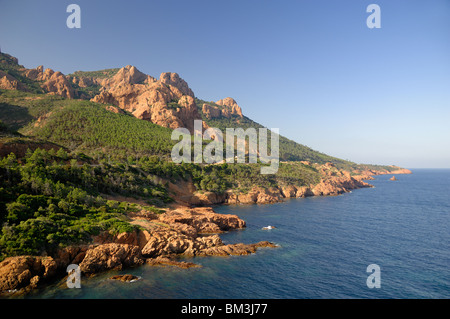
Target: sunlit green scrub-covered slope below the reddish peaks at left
{"x": 82, "y": 125}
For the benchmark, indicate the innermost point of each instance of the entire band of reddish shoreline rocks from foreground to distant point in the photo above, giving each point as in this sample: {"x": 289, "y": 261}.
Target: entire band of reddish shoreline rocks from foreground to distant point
{"x": 188, "y": 228}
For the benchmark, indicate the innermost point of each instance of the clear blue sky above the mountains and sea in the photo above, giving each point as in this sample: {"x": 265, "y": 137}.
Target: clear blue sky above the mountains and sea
{"x": 310, "y": 68}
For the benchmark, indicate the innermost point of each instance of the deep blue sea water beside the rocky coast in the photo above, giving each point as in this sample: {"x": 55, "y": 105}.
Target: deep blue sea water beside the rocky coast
{"x": 326, "y": 244}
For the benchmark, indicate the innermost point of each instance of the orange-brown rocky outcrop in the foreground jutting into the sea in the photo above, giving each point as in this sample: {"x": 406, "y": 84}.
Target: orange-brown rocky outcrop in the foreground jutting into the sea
{"x": 159, "y": 240}
